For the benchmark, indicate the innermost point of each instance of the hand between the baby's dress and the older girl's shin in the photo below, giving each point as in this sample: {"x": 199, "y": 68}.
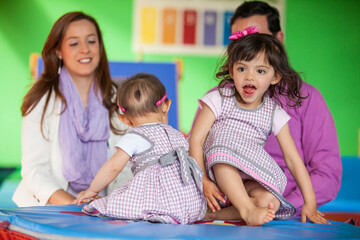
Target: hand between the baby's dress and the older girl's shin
{"x": 212, "y": 194}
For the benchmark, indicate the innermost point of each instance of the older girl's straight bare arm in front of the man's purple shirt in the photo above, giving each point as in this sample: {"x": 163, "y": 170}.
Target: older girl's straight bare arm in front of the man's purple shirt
{"x": 297, "y": 169}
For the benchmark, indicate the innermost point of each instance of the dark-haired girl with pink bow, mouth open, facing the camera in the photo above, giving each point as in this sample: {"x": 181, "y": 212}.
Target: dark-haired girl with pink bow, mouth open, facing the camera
{"x": 230, "y": 133}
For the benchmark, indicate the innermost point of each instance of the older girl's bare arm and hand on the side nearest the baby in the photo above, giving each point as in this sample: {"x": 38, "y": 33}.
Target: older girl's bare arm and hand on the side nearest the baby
{"x": 197, "y": 138}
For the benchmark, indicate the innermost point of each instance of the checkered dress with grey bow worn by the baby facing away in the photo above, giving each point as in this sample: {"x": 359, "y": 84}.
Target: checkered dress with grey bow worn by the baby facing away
{"x": 167, "y": 183}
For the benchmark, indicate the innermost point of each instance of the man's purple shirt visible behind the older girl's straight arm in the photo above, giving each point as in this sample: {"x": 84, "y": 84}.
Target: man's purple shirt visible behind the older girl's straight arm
{"x": 314, "y": 133}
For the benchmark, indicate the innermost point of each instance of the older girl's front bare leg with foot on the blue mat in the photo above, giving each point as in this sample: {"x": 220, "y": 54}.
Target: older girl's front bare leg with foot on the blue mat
{"x": 231, "y": 184}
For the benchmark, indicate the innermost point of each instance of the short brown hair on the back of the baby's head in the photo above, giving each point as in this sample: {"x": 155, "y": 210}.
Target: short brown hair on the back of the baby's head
{"x": 138, "y": 95}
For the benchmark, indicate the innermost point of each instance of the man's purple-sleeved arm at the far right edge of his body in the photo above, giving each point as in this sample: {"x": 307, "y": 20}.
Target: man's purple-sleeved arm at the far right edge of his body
{"x": 321, "y": 149}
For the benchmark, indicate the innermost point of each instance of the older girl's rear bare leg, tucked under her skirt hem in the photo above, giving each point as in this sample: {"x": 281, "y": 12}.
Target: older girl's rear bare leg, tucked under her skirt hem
{"x": 261, "y": 196}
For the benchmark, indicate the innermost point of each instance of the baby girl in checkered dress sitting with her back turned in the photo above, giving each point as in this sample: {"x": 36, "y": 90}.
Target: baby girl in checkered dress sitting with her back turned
{"x": 167, "y": 183}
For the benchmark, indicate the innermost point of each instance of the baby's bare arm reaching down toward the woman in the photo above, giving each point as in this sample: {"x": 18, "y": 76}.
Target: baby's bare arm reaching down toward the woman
{"x": 106, "y": 175}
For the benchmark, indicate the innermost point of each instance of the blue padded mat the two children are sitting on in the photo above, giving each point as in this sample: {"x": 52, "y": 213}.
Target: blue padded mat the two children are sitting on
{"x": 68, "y": 221}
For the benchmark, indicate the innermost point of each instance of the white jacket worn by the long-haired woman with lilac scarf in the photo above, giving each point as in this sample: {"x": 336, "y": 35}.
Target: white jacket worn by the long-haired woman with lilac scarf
{"x": 41, "y": 160}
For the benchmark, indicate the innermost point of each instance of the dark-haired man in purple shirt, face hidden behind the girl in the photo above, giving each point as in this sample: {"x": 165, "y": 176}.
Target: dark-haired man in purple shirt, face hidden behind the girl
{"x": 311, "y": 125}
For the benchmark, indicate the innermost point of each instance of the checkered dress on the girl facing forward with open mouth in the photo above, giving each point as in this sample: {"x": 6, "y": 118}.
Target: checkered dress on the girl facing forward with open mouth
{"x": 237, "y": 138}
